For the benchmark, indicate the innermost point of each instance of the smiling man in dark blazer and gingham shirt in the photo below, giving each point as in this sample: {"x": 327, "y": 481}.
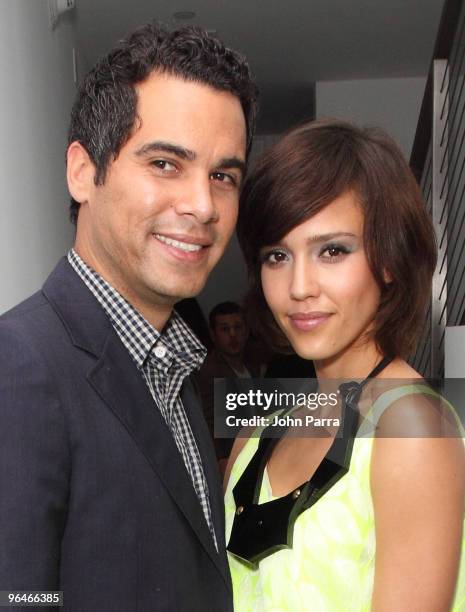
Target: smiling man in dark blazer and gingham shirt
{"x": 109, "y": 490}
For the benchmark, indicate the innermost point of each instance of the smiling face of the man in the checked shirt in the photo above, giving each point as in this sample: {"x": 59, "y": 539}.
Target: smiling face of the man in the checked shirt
{"x": 167, "y": 209}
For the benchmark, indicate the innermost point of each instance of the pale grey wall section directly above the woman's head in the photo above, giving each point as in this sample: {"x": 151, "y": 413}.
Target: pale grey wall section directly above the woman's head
{"x": 392, "y": 104}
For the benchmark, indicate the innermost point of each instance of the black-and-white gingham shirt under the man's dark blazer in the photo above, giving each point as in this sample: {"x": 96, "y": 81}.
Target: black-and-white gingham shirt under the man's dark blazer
{"x": 164, "y": 360}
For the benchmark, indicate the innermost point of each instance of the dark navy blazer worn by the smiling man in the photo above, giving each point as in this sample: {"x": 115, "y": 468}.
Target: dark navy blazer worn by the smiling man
{"x": 95, "y": 499}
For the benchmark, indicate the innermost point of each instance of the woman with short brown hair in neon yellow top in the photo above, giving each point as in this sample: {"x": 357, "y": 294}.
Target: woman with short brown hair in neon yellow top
{"x": 341, "y": 253}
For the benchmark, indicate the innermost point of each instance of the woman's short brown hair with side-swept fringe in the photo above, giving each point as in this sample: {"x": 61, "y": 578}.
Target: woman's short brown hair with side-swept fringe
{"x": 308, "y": 169}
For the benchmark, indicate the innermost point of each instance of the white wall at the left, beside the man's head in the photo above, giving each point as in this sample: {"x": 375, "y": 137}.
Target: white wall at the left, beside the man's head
{"x": 37, "y": 92}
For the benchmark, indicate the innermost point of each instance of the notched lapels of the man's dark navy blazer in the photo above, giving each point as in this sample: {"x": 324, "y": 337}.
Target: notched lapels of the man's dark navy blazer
{"x": 120, "y": 385}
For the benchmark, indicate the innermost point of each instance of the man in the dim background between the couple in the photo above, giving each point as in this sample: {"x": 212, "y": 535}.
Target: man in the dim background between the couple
{"x": 229, "y": 333}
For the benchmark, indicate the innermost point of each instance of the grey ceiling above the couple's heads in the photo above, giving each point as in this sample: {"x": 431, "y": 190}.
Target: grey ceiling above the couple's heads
{"x": 290, "y": 45}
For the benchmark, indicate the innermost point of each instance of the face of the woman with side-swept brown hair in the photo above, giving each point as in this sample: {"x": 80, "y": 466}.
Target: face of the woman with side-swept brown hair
{"x": 318, "y": 283}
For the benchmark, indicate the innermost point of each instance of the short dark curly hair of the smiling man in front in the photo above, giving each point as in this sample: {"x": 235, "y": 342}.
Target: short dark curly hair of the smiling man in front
{"x": 105, "y": 109}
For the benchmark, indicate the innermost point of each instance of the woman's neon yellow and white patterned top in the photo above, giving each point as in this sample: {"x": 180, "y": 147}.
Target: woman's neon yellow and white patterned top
{"x": 331, "y": 565}
